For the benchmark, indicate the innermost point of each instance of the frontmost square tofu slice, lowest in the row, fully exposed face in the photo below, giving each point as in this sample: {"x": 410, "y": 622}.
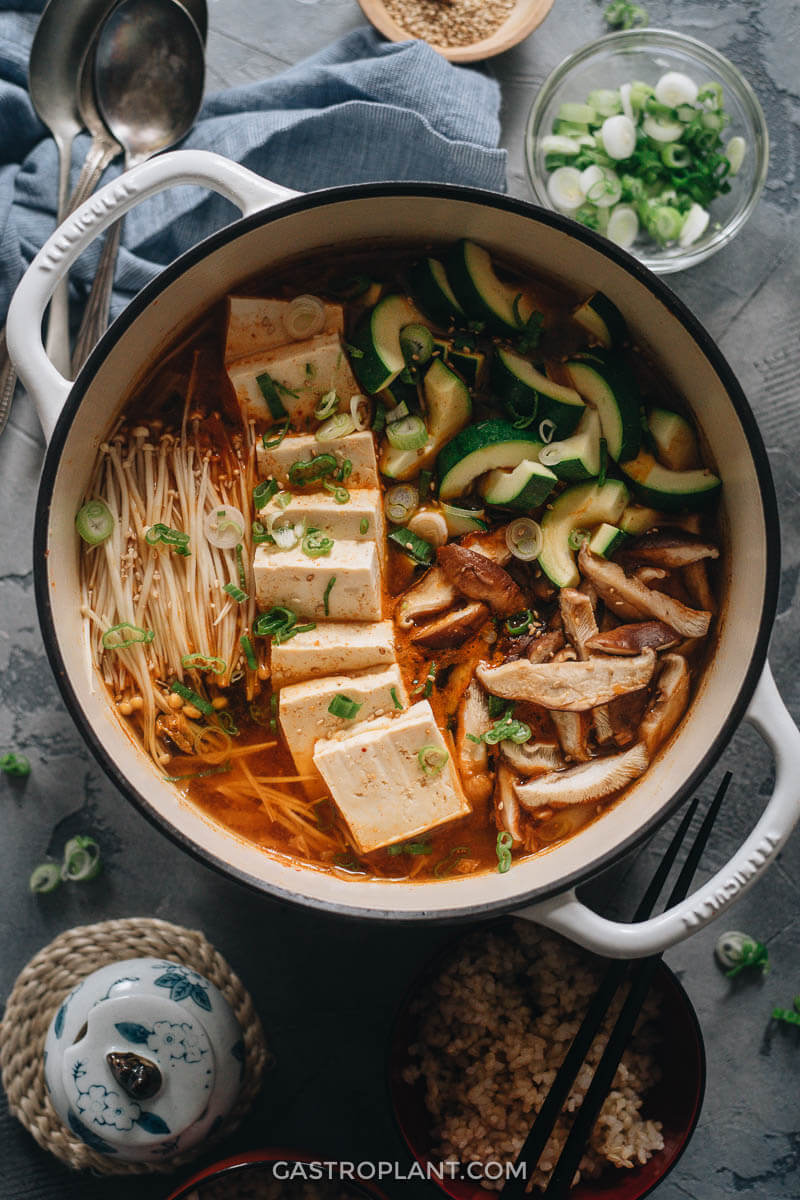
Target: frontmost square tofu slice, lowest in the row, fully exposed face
{"x": 377, "y": 782}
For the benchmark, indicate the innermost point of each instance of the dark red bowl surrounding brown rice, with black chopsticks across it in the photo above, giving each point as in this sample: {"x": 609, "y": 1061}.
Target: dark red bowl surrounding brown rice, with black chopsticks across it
{"x": 676, "y": 1101}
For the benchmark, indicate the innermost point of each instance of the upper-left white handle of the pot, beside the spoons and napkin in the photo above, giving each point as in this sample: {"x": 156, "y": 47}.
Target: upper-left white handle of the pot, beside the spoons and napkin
{"x": 243, "y": 188}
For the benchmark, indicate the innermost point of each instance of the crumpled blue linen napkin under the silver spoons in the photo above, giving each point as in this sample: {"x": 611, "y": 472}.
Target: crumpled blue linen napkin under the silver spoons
{"x": 360, "y": 111}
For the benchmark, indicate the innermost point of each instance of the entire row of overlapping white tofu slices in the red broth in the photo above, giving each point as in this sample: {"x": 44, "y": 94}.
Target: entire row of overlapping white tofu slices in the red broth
{"x": 375, "y": 763}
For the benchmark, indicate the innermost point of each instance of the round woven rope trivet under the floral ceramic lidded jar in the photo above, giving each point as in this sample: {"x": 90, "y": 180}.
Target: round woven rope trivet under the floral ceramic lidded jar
{"x": 56, "y": 971}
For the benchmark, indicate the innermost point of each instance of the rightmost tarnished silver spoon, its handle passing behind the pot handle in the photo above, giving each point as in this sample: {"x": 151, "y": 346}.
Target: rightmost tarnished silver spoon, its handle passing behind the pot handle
{"x": 149, "y": 77}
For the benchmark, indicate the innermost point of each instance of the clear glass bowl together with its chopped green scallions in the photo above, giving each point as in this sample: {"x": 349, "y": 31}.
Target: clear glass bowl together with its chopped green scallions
{"x": 654, "y": 141}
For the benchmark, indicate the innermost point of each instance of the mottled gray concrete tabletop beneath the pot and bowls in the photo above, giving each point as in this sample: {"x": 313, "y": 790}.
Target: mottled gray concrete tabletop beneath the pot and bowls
{"x": 327, "y": 991}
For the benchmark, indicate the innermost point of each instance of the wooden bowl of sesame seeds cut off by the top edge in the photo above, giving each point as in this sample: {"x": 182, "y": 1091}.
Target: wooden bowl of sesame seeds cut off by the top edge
{"x": 461, "y": 31}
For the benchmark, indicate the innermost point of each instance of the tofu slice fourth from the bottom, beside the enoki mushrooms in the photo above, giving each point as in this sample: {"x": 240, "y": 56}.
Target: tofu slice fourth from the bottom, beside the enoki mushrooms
{"x": 291, "y": 579}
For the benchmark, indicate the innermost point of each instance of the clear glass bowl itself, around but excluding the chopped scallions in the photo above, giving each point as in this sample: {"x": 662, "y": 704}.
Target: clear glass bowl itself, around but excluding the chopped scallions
{"x": 645, "y": 55}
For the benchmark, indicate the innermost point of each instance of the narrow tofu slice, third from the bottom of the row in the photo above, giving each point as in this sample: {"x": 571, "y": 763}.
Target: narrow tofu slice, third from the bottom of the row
{"x": 333, "y": 649}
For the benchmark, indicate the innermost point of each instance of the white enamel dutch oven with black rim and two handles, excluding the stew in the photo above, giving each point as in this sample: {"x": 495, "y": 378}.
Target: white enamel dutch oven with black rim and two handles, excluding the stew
{"x": 280, "y": 225}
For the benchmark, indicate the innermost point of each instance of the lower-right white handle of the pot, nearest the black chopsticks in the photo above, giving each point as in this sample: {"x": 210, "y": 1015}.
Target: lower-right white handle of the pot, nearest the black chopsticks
{"x": 567, "y": 915}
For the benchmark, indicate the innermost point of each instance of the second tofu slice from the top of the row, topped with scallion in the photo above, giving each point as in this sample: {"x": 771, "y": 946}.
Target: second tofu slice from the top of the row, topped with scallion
{"x": 308, "y": 370}
